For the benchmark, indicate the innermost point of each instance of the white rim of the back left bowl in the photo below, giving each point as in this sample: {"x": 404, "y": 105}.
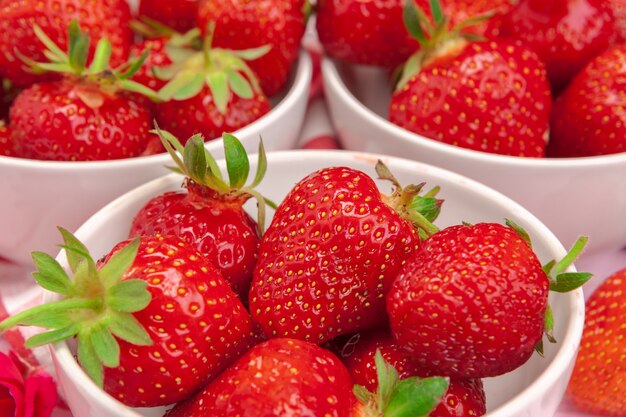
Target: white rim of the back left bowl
{"x": 299, "y": 88}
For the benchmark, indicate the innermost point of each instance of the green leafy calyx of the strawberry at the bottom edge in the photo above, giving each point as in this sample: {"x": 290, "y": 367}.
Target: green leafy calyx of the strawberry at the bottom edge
{"x": 409, "y": 397}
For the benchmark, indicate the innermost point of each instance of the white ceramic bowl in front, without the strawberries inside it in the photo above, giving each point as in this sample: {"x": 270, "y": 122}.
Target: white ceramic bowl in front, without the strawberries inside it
{"x": 535, "y": 389}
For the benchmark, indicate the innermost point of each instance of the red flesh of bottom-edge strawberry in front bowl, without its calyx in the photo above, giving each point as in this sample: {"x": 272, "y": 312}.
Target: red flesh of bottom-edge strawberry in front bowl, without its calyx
{"x": 277, "y": 377}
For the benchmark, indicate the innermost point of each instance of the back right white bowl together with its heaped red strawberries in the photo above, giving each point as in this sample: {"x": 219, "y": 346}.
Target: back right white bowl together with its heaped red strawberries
{"x": 509, "y": 93}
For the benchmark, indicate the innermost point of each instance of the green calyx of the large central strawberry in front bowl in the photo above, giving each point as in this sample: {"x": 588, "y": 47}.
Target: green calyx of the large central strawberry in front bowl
{"x": 420, "y": 210}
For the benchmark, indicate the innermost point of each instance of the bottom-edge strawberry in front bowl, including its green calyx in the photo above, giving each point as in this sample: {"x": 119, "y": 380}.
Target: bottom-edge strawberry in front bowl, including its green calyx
{"x": 295, "y": 378}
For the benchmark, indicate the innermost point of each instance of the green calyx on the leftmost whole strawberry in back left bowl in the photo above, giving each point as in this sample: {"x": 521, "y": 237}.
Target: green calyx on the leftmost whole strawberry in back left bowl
{"x": 99, "y": 74}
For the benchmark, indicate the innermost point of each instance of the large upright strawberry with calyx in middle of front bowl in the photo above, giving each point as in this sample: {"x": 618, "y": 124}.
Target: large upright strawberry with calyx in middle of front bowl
{"x": 329, "y": 256}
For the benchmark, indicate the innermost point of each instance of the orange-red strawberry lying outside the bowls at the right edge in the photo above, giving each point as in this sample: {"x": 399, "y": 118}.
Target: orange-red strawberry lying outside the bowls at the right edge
{"x": 599, "y": 377}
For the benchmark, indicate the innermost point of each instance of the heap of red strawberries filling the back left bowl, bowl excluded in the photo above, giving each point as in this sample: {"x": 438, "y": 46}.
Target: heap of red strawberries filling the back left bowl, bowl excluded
{"x": 83, "y": 80}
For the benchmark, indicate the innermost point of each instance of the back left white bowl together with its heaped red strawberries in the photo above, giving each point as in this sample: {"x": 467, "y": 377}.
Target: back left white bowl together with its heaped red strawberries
{"x": 83, "y": 85}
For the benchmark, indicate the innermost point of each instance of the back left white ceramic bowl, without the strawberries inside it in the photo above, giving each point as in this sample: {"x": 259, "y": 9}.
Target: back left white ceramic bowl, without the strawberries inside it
{"x": 39, "y": 195}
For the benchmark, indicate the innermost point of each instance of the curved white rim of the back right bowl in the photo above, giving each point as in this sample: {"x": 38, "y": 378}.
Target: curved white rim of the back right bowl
{"x": 333, "y": 81}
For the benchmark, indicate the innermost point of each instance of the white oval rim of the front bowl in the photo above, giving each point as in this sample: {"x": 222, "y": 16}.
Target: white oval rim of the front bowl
{"x": 564, "y": 354}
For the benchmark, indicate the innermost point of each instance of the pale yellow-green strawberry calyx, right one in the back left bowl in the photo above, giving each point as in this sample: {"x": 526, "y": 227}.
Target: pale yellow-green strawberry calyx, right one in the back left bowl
{"x": 223, "y": 71}
